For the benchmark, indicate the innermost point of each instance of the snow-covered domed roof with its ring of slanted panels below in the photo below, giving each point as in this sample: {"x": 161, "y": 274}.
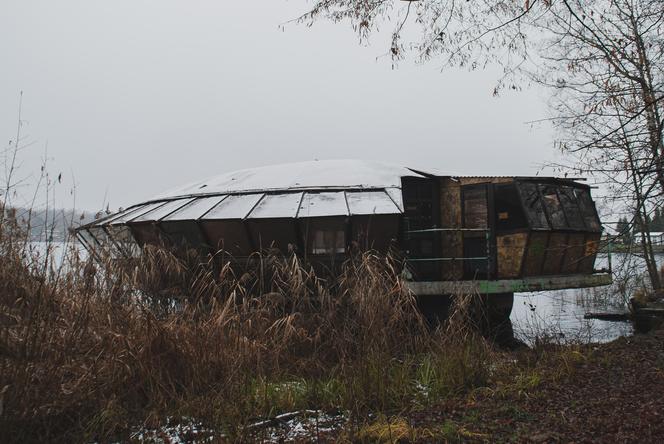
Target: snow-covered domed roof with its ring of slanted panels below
{"x": 293, "y": 190}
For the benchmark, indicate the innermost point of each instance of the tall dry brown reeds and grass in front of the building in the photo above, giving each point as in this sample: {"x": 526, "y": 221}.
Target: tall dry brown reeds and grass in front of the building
{"x": 91, "y": 350}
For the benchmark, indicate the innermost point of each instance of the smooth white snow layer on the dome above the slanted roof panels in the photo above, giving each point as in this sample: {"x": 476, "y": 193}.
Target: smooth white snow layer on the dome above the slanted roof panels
{"x": 345, "y": 174}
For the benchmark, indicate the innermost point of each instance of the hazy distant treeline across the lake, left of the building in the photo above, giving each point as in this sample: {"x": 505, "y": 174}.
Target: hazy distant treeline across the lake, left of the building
{"x": 50, "y": 224}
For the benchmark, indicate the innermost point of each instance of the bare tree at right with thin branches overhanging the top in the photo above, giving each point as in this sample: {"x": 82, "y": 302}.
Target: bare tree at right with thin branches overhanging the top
{"x": 602, "y": 59}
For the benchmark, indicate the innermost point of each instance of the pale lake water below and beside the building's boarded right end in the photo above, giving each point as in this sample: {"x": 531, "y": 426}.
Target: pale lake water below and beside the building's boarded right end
{"x": 559, "y": 314}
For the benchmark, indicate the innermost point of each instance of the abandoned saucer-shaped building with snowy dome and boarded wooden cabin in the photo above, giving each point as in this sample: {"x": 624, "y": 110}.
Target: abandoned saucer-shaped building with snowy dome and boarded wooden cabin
{"x": 490, "y": 235}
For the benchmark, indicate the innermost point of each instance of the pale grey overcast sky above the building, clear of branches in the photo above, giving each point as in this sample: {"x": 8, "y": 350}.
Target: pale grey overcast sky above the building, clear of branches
{"x": 136, "y": 97}
